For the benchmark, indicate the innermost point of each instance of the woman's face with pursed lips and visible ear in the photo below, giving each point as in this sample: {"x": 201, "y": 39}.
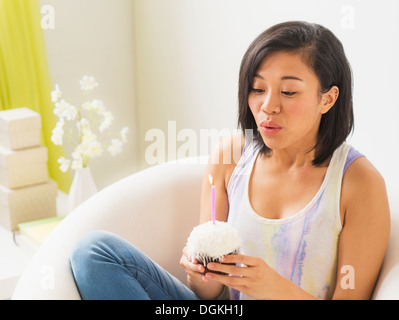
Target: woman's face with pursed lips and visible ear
{"x": 286, "y": 103}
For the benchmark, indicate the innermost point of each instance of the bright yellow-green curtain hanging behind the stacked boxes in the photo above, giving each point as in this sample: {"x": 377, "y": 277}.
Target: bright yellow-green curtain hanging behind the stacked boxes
{"x": 24, "y": 74}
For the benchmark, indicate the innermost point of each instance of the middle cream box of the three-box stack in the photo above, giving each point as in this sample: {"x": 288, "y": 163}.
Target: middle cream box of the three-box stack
{"x": 24, "y": 167}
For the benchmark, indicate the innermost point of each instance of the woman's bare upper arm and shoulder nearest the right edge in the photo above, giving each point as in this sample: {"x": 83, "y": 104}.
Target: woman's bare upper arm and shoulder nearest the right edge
{"x": 366, "y": 226}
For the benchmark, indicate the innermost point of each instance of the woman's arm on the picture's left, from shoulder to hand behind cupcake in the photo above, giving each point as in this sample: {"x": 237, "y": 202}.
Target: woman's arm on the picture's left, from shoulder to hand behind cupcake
{"x": 220, "y": 165}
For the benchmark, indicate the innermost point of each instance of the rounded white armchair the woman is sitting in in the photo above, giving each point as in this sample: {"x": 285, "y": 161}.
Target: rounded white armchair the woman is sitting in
{"x": 155, "y": 209}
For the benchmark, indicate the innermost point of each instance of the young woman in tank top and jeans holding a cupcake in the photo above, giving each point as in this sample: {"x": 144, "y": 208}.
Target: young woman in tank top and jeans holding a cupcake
{"x": 311, "y": 210}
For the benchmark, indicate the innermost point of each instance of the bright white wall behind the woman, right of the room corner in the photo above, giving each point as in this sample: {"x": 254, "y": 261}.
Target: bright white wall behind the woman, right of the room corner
{"x": 188, "y": 54}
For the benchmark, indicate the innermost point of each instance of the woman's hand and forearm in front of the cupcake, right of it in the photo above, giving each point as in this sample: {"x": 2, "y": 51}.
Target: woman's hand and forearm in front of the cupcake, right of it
{"x": 256, "y": 278}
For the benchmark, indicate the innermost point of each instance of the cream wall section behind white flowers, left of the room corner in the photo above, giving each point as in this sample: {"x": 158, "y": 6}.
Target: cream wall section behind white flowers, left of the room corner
{"x": 95, "y": 37}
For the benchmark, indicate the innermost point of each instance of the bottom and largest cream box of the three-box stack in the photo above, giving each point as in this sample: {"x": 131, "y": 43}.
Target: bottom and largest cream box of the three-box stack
{"x": 27, "y": 204}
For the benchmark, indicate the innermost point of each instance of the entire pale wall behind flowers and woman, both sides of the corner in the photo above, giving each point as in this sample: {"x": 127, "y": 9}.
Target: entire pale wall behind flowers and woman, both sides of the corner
{"x": 178, "y": 60}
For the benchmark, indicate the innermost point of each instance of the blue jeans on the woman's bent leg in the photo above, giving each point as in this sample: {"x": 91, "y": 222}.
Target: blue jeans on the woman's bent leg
{"x": 106, "y": 267}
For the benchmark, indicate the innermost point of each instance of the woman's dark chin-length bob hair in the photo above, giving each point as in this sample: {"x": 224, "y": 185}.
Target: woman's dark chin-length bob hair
{"x": 324, "y": 54}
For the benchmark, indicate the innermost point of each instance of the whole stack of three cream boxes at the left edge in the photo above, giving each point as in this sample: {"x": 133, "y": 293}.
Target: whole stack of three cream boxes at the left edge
{"x": 26, "y": 192}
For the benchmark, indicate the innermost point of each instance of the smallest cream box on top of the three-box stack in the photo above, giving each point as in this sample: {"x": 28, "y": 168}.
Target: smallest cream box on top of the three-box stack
{"x": 19, "y": 128}
